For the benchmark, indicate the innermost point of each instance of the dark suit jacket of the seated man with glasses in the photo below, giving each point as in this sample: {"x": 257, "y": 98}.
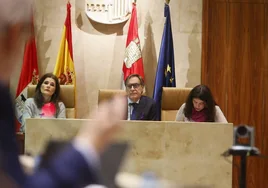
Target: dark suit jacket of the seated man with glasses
{"x": 146, "y": 109}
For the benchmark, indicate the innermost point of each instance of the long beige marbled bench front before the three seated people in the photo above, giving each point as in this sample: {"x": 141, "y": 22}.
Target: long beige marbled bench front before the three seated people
{"x": 185, "y": 153}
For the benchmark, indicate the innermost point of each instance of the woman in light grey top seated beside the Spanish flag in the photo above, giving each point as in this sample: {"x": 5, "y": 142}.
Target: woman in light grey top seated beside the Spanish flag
{"x": 45, "y": 103}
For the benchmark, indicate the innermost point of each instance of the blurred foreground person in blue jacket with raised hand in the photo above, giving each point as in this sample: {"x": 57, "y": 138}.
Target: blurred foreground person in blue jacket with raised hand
{"x": 77, "y": 164}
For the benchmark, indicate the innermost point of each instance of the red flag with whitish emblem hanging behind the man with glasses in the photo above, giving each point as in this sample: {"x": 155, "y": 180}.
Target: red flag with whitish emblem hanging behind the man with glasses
{"x": 133, "y": 60}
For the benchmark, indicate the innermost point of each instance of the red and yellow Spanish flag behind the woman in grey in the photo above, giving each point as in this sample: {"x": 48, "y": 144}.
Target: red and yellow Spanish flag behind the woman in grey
{"x": 64, "y": 68}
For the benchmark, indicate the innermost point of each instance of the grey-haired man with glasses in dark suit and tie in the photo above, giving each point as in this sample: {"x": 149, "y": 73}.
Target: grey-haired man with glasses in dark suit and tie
{"x": 139, "y": 107}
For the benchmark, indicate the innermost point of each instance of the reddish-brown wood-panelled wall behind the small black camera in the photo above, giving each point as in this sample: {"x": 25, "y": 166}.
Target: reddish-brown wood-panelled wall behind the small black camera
{"x": 235, "y": 67}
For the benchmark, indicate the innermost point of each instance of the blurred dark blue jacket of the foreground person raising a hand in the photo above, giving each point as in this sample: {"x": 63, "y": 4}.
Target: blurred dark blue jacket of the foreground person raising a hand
{"x": 67, "y": 169}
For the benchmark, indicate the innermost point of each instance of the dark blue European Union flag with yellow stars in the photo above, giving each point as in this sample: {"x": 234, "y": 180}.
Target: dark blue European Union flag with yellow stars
{"x": 165, "y": 75}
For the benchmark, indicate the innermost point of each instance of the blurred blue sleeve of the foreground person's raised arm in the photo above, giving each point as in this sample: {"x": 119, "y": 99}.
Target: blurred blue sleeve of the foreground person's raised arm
{"x": 68, "y": 169}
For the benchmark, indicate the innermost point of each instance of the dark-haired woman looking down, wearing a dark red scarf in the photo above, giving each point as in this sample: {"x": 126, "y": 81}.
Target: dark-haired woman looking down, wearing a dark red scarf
{"x": 200, "y": 107}
